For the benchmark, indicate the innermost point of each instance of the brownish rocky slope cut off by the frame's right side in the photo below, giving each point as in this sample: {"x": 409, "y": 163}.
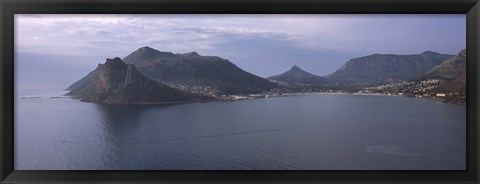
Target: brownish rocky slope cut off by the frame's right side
{"x": 449, "y": 69}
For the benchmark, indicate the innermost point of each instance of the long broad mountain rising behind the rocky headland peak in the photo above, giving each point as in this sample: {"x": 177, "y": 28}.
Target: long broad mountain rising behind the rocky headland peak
{"x": 194, "y": 71}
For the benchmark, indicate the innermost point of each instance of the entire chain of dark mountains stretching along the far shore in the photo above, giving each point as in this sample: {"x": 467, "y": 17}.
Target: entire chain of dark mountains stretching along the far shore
{"x": 151, "y": 76}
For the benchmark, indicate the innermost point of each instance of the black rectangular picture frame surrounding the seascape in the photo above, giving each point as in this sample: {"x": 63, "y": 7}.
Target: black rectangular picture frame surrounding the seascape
{"x": 10, "y": 7}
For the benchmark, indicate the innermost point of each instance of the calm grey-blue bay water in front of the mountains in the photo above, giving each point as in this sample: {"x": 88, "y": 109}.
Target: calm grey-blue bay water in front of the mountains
{"x": 300, "y": 132}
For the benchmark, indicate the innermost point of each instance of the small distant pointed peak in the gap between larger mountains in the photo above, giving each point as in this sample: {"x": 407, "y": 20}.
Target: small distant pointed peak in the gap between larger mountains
{"x": 297, "y": 76}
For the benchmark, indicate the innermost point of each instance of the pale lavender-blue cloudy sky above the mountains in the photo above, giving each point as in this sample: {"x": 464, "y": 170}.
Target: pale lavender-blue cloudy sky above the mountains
{"x": 67, "y": 47}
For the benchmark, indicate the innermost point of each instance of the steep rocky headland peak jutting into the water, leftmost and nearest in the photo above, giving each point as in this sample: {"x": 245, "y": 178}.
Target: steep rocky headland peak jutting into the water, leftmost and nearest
{"x": 118, "y": 83}
